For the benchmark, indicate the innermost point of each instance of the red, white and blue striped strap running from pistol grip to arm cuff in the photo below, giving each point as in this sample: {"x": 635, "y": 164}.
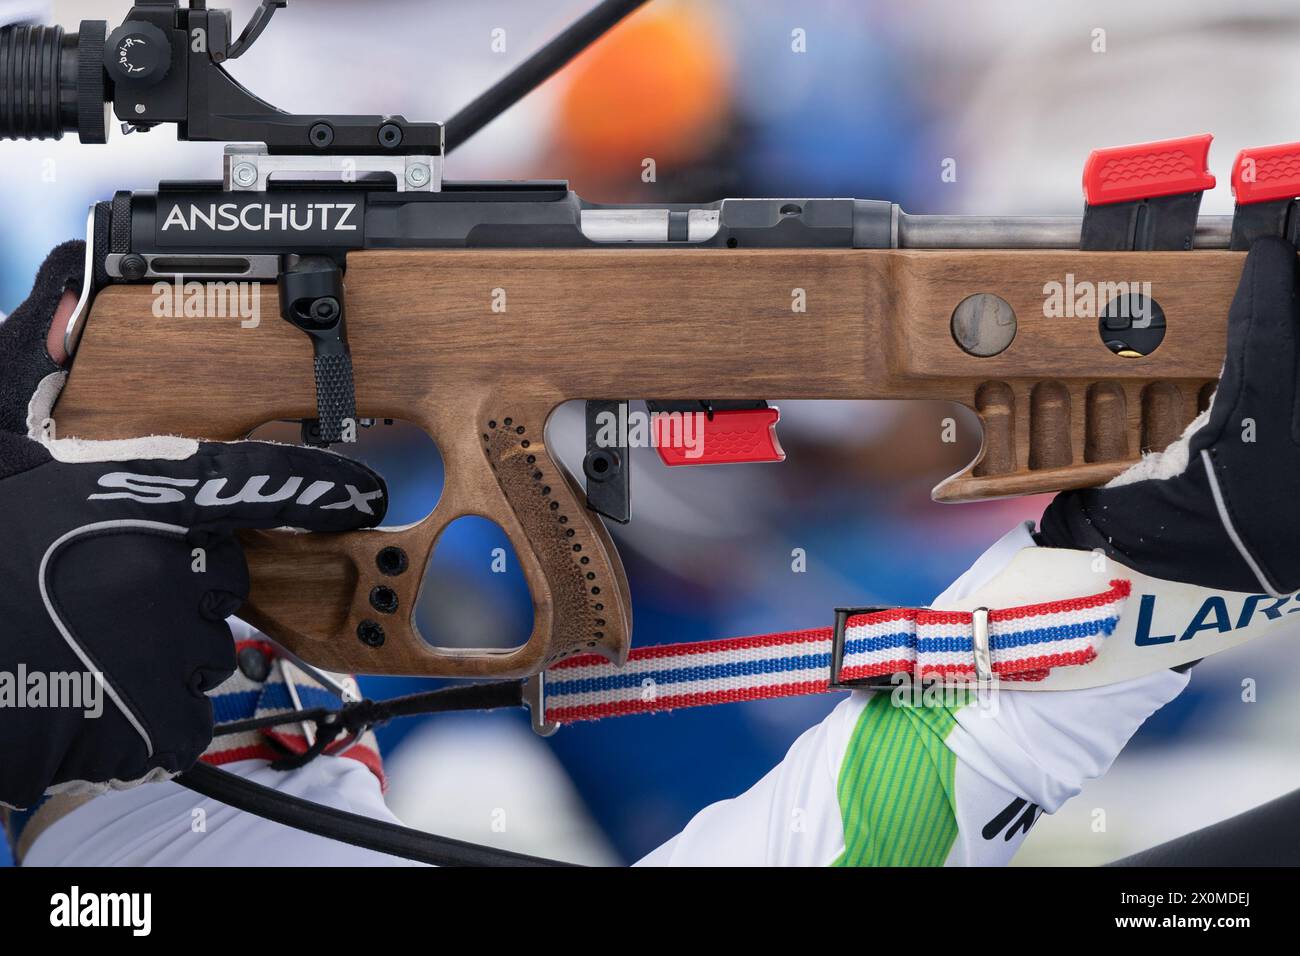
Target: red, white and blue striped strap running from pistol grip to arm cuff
{"x": 1025, "y": 644}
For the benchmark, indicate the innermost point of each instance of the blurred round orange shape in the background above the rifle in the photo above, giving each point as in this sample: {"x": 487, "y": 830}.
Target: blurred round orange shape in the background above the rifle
{"x": 656, "y": 86}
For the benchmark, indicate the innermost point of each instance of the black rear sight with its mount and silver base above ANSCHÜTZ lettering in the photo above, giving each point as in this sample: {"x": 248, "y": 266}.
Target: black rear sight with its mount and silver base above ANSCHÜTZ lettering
{"x": 164, "y": 66}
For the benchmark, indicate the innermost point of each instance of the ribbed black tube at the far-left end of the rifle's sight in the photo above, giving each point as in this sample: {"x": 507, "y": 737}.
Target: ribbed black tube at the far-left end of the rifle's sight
{"x": 54, "y": 83}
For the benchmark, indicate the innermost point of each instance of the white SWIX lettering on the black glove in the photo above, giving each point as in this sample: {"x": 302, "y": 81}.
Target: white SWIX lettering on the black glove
{"x": 155, "y": 490}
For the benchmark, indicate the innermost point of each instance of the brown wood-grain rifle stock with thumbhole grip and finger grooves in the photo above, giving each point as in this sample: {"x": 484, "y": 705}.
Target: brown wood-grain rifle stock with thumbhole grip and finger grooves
{"x": 1059, "y": 409}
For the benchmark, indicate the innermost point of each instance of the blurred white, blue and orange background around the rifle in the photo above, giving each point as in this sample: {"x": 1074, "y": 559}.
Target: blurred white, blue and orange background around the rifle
{"x": 879, "y": 101}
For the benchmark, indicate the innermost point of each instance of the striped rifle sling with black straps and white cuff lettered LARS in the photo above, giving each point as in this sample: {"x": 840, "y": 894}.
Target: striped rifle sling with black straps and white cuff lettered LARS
{"x": 1087, "y": 628}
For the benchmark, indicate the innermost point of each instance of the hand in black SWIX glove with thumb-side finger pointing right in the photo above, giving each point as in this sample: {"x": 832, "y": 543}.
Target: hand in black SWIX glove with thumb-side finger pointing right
{"x": 120, "y": 563}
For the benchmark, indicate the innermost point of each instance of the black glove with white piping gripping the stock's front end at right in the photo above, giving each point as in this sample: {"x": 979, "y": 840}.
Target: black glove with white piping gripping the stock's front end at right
{"x": 1219, "y": 508}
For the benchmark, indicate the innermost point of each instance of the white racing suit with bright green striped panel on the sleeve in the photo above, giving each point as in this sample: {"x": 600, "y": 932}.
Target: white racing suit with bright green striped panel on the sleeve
{"x": 873, "y": 785}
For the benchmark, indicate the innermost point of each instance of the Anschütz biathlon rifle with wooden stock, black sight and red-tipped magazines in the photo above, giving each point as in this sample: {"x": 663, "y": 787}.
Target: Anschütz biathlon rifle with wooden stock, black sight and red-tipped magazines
{"x": 387, "y": 272}
